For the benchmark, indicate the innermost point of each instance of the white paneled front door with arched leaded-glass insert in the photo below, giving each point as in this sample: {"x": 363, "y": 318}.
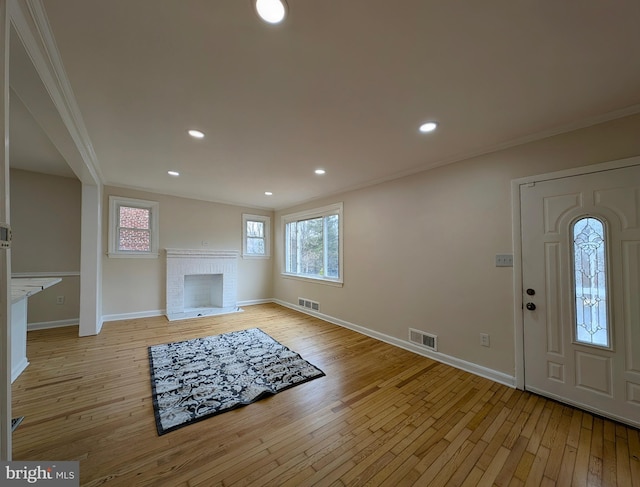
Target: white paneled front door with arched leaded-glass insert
{"x": 581, "y": 290}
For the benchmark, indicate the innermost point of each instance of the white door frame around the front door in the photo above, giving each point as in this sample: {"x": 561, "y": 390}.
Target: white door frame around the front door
{"x": 518, "y": 314}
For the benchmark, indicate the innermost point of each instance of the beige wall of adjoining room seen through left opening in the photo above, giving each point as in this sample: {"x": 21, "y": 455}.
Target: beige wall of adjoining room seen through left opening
{"x": 45, "y": 219}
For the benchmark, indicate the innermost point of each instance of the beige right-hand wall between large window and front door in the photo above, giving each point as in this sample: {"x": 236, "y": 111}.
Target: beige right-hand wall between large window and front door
{"x": 420, "y": 251}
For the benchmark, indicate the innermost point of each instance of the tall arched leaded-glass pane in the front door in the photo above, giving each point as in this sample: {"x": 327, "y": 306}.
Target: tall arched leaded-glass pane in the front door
{"x": 590, "y": 282}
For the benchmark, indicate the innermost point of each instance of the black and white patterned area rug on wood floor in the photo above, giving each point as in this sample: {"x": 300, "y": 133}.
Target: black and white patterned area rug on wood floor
{"x": 196, "y": 379}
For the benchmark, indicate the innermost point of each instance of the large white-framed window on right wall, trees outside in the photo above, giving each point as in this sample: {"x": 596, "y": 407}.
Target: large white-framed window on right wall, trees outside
{"x": 313, "y": 244}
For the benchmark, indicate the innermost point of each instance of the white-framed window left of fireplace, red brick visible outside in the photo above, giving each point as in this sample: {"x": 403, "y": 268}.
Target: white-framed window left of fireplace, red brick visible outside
{"x": 133, "y": 227}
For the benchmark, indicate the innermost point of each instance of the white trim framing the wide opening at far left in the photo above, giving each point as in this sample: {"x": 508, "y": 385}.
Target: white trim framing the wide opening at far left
{"x": 29, "y": 21}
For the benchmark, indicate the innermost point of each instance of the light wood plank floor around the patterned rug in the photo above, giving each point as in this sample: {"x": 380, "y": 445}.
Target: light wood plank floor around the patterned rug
{"x": 381, "y": 416}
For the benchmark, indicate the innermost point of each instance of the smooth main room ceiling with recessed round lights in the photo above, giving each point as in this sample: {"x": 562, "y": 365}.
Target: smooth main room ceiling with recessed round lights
{"x": 340, "y": 85}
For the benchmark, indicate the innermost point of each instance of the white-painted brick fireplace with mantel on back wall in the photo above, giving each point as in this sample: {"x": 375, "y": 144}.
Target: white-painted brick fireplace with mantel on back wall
{"x": 201, "y": 283}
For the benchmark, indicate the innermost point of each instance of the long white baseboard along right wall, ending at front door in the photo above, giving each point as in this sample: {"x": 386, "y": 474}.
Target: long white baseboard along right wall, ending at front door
{"x": 470, "y": 367}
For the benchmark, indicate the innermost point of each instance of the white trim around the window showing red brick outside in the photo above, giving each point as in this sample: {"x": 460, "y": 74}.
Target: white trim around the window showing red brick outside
{"x": 153, "y": 206}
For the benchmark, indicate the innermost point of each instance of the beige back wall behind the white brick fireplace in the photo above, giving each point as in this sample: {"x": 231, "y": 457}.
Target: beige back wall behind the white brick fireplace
{"x": 138, "y": 285}
